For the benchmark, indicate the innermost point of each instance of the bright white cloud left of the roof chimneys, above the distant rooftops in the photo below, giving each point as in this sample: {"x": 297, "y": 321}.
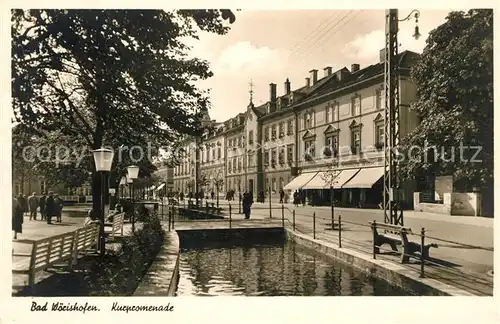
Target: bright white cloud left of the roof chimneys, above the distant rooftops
{"x": 244, "y": 57}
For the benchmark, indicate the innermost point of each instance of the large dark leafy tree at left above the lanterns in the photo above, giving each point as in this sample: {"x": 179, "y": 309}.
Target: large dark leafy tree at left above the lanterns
{"x": 110, "y": 77}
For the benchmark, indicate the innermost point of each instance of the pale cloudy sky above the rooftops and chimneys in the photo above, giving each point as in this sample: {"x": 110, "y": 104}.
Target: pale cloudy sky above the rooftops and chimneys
{"x": 270, "y": 46}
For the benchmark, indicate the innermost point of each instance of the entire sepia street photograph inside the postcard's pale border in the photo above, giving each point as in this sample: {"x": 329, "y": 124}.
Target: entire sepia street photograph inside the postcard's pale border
{"x": 251, "y": 152}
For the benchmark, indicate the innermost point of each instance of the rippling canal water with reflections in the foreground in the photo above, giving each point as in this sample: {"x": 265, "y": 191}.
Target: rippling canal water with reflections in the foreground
{"x": 277, "y": 270}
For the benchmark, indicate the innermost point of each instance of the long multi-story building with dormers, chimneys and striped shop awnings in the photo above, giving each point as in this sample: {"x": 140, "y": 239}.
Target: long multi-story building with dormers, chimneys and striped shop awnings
{"x": 327, "y": 134}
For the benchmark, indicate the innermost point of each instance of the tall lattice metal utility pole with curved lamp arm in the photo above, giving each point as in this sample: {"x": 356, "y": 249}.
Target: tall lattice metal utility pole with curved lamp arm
{"x": 393, "y": 213}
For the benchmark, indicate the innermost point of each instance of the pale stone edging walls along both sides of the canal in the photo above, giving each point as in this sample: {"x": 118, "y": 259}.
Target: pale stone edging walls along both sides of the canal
{"x": 167, "y": 264}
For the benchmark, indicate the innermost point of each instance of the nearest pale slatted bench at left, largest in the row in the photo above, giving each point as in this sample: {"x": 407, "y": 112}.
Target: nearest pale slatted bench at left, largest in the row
{"x": 46, "y": 253}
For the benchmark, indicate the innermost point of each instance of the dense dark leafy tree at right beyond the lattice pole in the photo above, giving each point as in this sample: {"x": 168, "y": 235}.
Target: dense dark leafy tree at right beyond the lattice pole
{"x": 454, "y": 79}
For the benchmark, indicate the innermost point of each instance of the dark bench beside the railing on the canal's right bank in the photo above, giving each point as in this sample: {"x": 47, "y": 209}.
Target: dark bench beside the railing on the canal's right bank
{"x": 398, "y": 235}
